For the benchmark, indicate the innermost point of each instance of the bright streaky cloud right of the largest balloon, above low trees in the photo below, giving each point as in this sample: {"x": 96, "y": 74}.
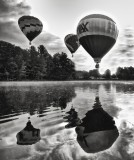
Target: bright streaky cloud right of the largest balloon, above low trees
{"x": 121, "y": 55}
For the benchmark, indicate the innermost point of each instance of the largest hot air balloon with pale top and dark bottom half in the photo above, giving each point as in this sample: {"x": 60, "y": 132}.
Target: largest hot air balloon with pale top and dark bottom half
{"x": 97, "y": 34}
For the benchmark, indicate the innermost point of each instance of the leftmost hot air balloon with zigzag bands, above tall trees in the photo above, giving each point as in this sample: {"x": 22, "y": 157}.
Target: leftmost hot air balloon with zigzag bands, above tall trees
{"x": 30, "y": 26}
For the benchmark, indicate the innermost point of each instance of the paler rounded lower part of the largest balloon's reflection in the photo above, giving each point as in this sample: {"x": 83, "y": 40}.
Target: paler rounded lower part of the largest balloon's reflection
{"x": 97, "y": 141}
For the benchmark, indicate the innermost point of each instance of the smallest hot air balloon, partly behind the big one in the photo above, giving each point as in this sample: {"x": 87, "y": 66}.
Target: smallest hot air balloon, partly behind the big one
{"x": 72, "y": 43}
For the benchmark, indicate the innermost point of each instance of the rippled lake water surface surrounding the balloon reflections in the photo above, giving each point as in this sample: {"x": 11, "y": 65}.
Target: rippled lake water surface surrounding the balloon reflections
{"x": 47, "y": 104}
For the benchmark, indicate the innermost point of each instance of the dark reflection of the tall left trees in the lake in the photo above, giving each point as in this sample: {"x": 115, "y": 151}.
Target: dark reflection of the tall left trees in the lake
{"x": 34, "y": 99}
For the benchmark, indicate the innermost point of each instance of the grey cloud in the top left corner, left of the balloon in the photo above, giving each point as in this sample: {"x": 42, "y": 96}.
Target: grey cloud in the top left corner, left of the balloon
{"x": 10, "y": 11}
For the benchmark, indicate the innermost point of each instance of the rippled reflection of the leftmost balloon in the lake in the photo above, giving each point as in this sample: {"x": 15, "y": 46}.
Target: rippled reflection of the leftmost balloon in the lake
{"x": 29, "y": 135}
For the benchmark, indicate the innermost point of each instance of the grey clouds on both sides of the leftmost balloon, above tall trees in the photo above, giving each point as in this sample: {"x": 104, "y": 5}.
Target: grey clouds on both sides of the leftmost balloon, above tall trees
{"x": 10, "y": 11}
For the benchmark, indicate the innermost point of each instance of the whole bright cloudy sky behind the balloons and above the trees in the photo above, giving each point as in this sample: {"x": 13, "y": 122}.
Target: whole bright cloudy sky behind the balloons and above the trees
{"x": 61, "y": 17}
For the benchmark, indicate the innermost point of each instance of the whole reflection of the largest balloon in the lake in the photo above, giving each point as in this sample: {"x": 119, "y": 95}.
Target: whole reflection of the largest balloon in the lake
{"x": 97, "y": 132}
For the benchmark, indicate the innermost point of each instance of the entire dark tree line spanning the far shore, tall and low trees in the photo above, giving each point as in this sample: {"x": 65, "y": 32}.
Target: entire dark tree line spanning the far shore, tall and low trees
{"x": 17, "y": 64}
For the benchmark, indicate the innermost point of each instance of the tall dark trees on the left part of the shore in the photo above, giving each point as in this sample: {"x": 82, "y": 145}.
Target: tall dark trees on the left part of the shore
{"x": 18, "y": 64}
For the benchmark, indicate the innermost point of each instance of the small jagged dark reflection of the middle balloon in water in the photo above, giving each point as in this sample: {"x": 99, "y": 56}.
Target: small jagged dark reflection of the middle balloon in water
{"x": 72, "y": 118}
